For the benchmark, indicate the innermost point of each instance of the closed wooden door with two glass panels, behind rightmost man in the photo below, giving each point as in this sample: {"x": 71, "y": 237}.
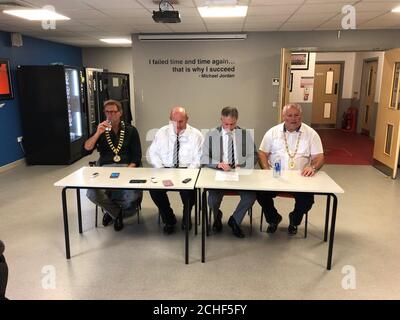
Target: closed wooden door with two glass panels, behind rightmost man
{"x": 326, "y": 95}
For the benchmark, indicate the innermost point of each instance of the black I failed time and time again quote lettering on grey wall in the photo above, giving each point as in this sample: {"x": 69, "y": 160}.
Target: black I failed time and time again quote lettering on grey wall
{"x": 199, "y": 67}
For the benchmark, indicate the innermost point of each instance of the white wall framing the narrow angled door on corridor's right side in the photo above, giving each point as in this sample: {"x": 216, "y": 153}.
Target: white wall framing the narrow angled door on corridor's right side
{"x": 359, "y": 61}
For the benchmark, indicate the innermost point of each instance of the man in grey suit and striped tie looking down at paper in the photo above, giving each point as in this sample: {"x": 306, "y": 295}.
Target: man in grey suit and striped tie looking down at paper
{"x": 228, "y": 147}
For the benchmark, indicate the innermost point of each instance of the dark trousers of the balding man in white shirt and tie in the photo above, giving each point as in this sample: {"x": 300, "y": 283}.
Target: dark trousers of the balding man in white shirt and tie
{"x": 161, "y": 200}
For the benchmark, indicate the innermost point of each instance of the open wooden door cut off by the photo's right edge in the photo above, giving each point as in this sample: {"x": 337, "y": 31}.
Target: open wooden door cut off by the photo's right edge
{"x": 387, "y": 133}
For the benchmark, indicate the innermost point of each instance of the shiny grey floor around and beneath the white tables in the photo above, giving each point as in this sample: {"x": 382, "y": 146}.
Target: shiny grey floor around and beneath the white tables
{"x": 140, "y": 262}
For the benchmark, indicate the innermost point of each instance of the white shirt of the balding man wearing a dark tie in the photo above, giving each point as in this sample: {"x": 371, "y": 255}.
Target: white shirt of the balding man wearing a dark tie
{"x": 161, "y": 151}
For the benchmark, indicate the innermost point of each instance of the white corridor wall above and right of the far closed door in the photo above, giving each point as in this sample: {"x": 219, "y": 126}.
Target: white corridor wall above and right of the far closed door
{"x": 349, "y": 60}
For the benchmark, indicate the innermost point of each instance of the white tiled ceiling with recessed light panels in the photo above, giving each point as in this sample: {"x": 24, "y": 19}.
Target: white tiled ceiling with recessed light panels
{"x": 95, "y": 19}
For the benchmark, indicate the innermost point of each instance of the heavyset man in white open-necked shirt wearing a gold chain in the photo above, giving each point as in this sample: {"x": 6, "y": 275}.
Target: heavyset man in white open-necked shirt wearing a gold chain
{"x": 298, "y": 147}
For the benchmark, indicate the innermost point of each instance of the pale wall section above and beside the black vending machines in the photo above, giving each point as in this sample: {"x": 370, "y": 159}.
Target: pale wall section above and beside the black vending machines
{"x": 115, "y": 60}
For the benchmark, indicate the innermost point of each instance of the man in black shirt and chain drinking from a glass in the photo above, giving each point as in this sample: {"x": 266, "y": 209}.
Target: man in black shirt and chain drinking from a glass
{"x": 119, "y": 146}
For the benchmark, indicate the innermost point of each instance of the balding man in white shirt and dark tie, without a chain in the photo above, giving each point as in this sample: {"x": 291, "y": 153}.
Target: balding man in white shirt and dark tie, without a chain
{"x": 176, "y": 145}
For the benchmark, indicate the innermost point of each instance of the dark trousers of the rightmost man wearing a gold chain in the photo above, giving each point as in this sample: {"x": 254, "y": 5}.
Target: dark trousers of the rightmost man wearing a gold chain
{"x": 303, "y": 203}
